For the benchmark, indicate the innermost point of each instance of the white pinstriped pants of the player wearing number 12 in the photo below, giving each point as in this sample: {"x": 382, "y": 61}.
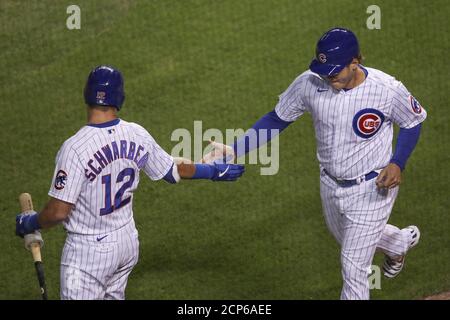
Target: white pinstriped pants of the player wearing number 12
{"x": 97, "y": 267}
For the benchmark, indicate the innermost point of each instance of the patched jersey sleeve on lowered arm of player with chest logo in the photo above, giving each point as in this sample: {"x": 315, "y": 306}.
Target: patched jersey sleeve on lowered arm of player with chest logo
{"x": 406, "y": 111}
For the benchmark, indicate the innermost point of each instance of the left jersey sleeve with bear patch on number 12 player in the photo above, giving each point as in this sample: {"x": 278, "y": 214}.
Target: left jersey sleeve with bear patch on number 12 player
{"x": 68, "y": 177}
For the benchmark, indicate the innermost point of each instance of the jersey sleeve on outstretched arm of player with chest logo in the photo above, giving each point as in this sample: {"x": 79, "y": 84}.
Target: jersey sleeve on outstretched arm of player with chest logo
{"x": 290, "y": 105}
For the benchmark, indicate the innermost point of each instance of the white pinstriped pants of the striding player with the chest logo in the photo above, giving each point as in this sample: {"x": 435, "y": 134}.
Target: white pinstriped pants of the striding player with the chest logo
{"x": 357, "y": 217}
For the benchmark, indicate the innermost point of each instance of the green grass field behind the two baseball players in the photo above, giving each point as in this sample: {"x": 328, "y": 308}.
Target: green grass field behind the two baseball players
{"x": 225, "y": 63}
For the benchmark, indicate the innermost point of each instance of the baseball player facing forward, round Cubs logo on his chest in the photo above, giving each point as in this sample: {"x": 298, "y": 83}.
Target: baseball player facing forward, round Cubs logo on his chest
{"x": 354, "y": 109}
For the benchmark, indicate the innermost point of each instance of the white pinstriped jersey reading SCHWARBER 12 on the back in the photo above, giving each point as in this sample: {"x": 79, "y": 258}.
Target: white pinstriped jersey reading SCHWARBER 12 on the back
{"x": 97, "y": 170}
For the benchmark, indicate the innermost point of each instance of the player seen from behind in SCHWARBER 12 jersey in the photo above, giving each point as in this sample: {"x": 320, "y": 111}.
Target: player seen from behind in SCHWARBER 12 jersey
{"x": 97, "y": 171}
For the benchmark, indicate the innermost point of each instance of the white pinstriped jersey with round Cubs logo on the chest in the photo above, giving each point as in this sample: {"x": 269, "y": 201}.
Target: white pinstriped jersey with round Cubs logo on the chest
{"x": 354, "y": 128}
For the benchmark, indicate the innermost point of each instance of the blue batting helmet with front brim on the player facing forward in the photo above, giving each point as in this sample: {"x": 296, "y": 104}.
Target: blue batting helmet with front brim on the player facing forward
{"x": 334, "y": 51}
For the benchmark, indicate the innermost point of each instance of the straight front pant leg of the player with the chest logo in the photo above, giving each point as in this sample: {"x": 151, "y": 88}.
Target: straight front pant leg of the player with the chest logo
{"x": 367, "y": 210}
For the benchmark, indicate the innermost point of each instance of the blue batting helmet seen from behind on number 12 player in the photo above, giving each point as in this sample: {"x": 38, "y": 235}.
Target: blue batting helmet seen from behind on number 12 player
{"x": 104, "y": 87}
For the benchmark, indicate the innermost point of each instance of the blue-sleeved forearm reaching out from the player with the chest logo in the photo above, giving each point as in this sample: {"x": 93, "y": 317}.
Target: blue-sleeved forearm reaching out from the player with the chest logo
{"x": 264, "y": 130}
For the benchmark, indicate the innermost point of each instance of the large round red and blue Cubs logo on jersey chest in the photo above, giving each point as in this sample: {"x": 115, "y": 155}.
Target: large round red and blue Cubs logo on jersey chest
{"x": 367, "y": 122}
